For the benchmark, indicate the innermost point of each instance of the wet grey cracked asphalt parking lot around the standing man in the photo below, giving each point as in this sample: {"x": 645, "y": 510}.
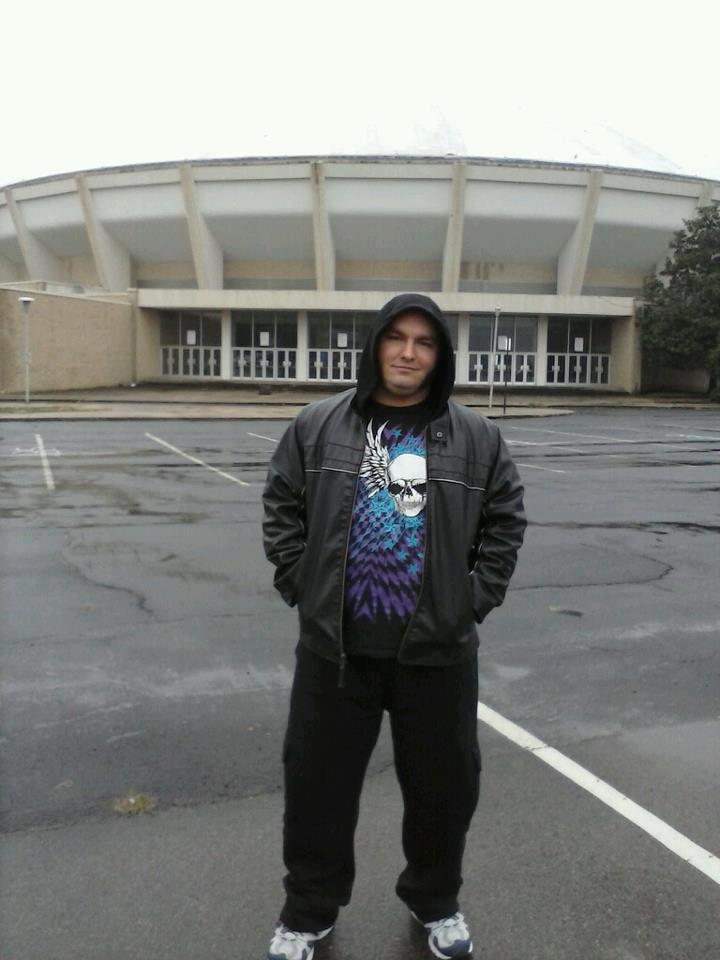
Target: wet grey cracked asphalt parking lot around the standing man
{"x": 144, "y": 651}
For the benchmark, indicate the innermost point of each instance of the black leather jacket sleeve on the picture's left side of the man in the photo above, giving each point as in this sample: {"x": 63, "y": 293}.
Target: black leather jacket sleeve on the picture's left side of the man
{"x": 284, "y": 522}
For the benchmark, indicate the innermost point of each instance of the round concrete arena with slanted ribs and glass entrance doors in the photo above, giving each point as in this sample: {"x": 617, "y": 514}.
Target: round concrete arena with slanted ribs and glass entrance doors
{"x": 271, "y": 269}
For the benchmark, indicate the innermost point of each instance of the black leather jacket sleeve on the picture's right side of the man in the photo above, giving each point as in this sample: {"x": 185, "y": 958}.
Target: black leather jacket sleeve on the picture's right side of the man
{"x": 500, "y": 535}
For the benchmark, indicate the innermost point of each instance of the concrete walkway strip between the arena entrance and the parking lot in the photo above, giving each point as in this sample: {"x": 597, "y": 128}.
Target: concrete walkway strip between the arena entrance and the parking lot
{"x": 256, "y": 402}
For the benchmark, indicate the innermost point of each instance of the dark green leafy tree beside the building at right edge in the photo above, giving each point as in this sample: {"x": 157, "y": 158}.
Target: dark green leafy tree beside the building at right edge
{"x": 680, "y": 319}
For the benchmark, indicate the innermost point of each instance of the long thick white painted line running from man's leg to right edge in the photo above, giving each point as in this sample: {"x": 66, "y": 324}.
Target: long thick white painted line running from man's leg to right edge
{"x": 686, "y": 849}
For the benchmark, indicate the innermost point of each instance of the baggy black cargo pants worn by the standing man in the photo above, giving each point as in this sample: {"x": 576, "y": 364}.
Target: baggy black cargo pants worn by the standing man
{"x": 331, "y": 734}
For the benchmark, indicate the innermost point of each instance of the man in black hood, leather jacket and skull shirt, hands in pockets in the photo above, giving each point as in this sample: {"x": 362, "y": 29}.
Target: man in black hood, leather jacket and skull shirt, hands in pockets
{"x": 393, "y": 517}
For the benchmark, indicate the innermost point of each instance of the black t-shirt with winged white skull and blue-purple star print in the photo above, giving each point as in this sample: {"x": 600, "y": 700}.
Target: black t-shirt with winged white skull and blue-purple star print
{"x": 387, "y": 536}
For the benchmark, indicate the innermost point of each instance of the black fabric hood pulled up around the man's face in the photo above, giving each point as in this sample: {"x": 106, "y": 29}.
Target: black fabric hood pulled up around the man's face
{"x": 443, "y": 377}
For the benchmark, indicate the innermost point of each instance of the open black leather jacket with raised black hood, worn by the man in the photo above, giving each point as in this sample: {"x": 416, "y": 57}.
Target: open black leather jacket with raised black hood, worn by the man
{"x": 474, "y": 518}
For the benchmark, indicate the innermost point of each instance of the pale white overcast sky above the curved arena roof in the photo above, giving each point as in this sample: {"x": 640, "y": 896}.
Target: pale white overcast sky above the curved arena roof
{"x": 631, "y": 83}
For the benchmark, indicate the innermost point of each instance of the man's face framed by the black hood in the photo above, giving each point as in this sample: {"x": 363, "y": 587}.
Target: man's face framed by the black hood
{"x": 407, "y": 355}
